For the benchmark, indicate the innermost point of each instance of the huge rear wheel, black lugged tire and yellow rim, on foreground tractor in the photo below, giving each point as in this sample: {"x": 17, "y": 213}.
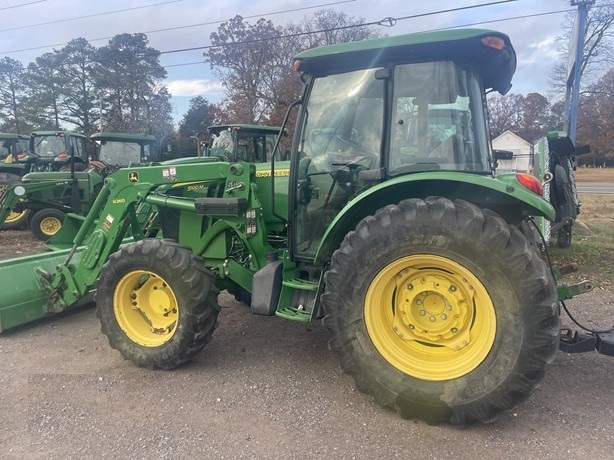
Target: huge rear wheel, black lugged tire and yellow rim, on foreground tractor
{"x": 441, "y": 311}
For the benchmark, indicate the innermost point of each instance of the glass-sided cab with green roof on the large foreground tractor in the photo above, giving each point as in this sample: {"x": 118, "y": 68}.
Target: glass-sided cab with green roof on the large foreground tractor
{"x": 378, "y": 113}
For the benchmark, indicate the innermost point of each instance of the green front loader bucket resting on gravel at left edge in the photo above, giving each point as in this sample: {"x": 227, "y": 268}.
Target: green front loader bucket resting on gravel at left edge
{"x": 22, "y": 298}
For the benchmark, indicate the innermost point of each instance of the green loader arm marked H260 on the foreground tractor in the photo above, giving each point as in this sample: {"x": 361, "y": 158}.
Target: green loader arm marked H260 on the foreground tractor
{"x": 113, "y": 218}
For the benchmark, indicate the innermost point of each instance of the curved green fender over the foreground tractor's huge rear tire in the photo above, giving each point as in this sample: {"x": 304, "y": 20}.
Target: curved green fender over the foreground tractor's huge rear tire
{"x": 504, "y": 195}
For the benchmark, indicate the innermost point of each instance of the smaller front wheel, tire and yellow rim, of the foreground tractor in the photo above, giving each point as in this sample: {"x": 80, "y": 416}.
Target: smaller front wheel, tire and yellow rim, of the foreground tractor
{"x": 157, "y": 304}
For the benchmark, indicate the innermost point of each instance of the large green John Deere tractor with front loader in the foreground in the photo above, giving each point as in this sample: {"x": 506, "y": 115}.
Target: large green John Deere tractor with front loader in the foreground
{"x": 402, "y": 239}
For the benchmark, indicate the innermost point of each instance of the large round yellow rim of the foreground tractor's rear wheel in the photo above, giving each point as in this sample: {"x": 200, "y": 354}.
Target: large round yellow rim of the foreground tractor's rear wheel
{"x": 430, "y": 317}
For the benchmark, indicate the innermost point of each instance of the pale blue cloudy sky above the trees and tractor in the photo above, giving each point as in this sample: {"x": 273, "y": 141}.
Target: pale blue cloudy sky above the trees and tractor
{"x": 33, "y": 27}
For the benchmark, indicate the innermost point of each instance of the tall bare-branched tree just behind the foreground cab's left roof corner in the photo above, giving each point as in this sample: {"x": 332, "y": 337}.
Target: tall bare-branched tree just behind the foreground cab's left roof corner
{"x": 254, "y": 61}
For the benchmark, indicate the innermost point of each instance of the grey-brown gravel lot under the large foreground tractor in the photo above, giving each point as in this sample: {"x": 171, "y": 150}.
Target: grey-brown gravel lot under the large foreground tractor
{"x": 265, "y": 388}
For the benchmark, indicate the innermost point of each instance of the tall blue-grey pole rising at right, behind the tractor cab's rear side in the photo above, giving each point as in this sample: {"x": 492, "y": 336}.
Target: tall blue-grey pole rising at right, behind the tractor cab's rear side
{"x": 574, "y": 66}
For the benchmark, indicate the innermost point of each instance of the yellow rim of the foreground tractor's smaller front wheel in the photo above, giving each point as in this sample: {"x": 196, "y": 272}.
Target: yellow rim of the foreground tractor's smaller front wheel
{"x": 145, "y": 308}
